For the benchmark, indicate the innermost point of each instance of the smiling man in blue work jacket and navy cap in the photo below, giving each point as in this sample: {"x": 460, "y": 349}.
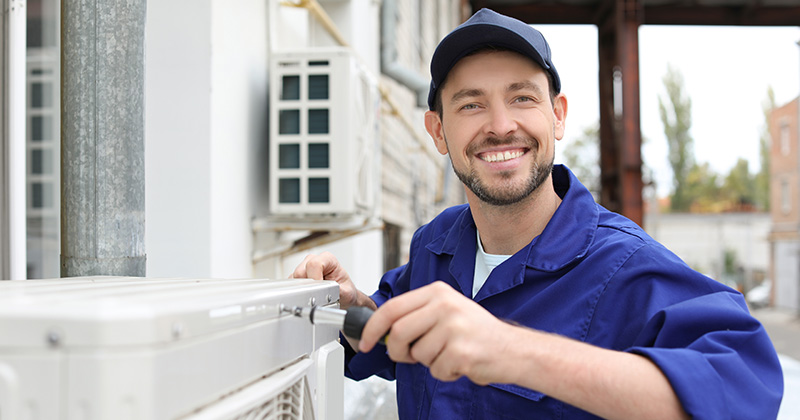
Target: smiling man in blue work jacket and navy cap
{"x": 532, "y": 301}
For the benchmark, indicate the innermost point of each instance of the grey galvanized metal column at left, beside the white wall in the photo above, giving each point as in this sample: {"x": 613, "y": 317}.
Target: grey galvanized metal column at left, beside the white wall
{"x": 102, "y": 137}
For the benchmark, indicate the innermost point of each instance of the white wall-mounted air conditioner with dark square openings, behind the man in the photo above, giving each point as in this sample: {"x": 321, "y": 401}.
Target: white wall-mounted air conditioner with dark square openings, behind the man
{"x": 324, "y": 137}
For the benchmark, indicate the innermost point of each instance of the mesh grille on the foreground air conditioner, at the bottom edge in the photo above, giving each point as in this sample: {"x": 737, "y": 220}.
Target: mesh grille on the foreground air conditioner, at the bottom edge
{"x": 294, "y": 403}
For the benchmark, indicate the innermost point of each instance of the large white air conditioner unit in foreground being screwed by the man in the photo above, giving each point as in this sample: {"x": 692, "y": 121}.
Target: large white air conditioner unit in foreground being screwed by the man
{"x": 138, "y": 348}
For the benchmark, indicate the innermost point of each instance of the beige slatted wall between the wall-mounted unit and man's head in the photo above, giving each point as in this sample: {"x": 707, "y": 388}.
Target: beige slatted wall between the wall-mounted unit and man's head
{"x": 415, "y": 178}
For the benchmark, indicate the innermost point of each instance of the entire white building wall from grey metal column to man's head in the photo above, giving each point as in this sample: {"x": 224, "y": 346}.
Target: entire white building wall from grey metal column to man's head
{"x": 207, "y": 72}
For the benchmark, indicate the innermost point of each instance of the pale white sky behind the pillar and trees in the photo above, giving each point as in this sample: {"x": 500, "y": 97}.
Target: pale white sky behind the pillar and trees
{"x": 726, "y": 70}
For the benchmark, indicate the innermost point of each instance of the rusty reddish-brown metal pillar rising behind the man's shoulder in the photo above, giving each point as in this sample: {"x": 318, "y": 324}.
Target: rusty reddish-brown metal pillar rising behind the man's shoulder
{"x": 620, "y": 132}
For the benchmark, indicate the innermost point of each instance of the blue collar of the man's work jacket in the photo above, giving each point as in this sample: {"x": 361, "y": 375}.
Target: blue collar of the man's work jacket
{"x": 565, "y": 239}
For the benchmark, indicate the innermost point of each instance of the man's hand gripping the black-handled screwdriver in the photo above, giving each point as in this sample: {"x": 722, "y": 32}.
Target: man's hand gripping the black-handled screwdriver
{"x": 439, "y": 327}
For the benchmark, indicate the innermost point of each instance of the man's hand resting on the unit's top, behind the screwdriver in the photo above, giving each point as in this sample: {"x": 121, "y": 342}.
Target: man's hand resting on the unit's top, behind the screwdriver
{"x": 326, "y": 267}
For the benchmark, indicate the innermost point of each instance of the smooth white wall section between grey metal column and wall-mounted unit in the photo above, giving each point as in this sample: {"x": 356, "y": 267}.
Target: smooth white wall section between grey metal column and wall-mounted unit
{"x": 205, "y": 129}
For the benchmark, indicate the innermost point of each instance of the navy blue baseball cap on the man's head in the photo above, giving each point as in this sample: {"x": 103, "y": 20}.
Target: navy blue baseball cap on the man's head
{"x": 487, "y": 27}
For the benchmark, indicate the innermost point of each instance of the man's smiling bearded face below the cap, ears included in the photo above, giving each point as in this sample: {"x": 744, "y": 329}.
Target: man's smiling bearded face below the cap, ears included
{"x": 499, "y": 125}
